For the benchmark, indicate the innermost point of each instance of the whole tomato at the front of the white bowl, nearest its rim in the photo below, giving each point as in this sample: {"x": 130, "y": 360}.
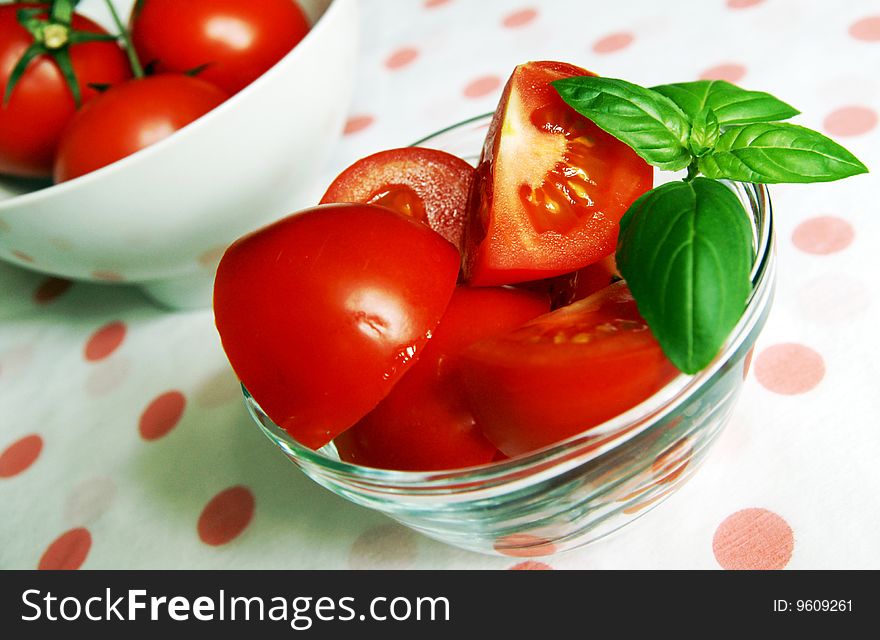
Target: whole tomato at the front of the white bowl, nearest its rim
{"x": 131, "y": 117}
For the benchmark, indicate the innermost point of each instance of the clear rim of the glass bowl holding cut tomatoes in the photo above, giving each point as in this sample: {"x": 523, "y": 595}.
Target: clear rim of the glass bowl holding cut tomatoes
{"x": 577, "y": 449}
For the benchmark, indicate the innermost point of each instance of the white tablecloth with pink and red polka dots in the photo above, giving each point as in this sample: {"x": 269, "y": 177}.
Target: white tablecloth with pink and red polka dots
{"x": 124, "y": 442}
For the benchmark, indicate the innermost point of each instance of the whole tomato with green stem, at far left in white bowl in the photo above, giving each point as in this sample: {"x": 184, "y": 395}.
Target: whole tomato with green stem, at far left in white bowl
{"x": 41, "y": 103}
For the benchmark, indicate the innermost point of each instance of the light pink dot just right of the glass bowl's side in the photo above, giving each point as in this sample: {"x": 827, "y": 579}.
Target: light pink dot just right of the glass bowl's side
{"x": 789, "y": 369}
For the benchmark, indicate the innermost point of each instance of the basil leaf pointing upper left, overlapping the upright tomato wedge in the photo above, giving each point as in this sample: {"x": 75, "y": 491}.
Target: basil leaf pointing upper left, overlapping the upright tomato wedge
{"x": 648, "y": 122}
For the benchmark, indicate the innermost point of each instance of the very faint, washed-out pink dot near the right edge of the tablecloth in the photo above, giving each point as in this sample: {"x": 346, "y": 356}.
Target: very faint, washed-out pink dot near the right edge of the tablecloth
{"x": 833, "y": 299}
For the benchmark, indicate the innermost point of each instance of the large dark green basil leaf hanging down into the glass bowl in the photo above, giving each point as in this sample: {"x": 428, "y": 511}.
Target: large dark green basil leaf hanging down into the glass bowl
{"x": 686, "y": 252}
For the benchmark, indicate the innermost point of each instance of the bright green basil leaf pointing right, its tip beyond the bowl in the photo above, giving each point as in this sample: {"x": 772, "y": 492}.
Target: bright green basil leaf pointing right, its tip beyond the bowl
{"x": 778, "y": 152}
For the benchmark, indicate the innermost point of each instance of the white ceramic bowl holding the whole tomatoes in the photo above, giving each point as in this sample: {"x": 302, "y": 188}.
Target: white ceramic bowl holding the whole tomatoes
{"x": 162, "y": 217}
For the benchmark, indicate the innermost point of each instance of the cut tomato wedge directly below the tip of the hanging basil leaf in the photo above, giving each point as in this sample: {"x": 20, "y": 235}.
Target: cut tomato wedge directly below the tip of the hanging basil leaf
{"x": 564, "y": 373}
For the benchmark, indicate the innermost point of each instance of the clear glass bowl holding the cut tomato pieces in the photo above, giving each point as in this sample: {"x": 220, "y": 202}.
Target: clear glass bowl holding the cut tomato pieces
{"x": 586, "y": 487}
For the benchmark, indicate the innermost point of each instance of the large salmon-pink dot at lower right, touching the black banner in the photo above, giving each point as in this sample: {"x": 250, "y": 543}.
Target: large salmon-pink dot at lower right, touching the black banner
{"x": 755, "y": 539}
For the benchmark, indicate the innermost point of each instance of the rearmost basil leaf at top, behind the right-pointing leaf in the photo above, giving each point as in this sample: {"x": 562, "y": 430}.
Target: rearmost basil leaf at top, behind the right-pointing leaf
{"x": 731, "y": 104}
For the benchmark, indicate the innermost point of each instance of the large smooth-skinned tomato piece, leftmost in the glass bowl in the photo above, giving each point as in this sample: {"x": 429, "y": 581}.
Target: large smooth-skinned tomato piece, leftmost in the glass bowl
{"x": 321, "y": 313}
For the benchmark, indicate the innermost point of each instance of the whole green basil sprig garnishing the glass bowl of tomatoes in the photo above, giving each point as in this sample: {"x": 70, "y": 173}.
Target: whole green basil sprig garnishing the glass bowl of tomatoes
{"x": 686, "y": 247}
